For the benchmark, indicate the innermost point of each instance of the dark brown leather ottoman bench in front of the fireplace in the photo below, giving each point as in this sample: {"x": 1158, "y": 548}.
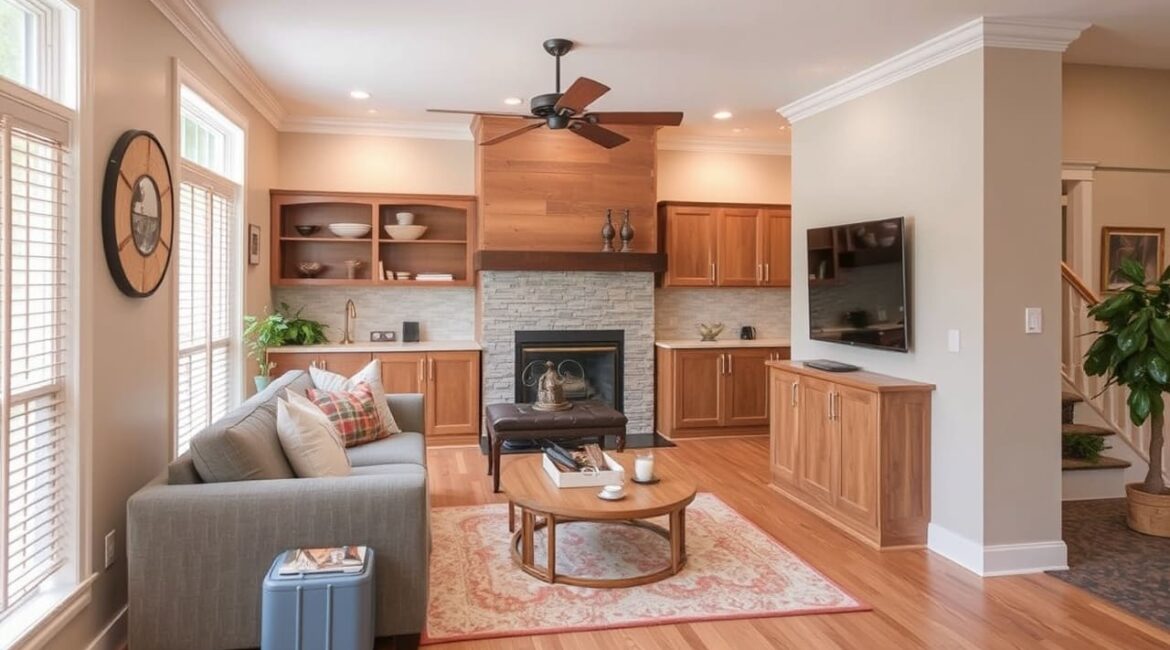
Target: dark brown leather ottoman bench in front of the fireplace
{"x": 524, "y": 423}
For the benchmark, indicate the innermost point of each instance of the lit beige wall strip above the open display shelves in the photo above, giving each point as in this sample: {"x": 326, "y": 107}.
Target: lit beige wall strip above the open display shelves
{"x": 376, "y": 164}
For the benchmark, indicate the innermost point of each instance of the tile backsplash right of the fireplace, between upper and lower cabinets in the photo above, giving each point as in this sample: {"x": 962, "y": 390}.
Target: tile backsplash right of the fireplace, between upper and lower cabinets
{"x": 679, "y": 312}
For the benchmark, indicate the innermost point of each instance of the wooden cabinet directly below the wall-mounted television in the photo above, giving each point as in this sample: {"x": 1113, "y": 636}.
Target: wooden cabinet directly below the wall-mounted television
{"x": 854, "y": 448}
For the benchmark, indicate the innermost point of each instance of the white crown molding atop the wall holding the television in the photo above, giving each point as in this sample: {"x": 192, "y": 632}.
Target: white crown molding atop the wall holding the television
{"x": 1045, "y": 36}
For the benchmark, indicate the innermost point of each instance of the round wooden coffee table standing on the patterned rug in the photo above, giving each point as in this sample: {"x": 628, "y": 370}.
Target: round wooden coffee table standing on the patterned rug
{"x": 543, "y": 506}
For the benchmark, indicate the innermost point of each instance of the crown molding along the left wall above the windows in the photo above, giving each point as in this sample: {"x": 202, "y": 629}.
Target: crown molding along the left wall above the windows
{"x": 210, "y": 40}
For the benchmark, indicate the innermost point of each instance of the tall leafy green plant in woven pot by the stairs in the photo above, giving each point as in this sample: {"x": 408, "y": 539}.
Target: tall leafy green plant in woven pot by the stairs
{"x": 1133, "y": 350}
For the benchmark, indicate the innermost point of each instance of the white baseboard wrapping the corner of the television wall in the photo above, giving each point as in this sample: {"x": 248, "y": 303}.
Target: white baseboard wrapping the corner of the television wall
{"x": 1003, "y": 559}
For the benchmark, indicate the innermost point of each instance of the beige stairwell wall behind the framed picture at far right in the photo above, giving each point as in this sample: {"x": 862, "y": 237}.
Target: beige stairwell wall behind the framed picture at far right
{"x": 1118, "y": 119}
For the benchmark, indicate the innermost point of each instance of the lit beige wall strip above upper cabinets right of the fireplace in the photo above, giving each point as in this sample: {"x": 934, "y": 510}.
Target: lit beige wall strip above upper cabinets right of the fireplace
{"x": 734, "y": 178}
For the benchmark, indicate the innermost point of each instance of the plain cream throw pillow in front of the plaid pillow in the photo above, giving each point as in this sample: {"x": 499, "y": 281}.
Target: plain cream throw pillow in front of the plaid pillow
{"x": 311, "y": 441}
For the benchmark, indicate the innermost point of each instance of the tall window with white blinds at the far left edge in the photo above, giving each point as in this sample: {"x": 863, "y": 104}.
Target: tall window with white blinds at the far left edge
{"x": 40, "y": 528}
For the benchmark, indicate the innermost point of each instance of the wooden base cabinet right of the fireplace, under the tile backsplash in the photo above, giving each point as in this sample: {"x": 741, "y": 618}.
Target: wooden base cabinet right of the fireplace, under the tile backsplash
{"x": 713, "y": 391}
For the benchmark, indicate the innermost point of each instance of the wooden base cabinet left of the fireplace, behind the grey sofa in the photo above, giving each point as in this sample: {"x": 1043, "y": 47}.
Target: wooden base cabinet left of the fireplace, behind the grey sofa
{"x": 450, "y": 382}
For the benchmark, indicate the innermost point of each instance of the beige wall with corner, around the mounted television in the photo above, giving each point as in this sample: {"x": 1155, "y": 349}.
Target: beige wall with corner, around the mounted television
{"x": 969, "y": 153}
